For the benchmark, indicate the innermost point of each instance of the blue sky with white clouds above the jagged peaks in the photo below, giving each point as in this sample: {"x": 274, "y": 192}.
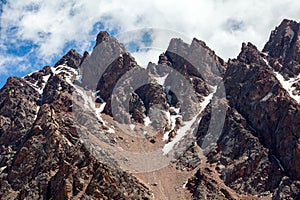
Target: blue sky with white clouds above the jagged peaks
{"x": 36, "y": 33}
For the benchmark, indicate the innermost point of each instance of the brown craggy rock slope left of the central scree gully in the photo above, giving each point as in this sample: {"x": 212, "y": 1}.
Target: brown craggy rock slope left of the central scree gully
{"x": 41, "y": 153}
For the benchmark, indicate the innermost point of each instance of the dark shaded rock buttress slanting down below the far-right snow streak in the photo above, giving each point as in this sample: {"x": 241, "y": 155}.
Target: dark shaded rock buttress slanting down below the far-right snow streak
{"x": 256, "y": 93}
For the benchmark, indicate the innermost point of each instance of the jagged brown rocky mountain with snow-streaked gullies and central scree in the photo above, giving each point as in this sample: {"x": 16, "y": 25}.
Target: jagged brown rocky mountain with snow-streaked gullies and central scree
{"x": 192, "y": 126}
